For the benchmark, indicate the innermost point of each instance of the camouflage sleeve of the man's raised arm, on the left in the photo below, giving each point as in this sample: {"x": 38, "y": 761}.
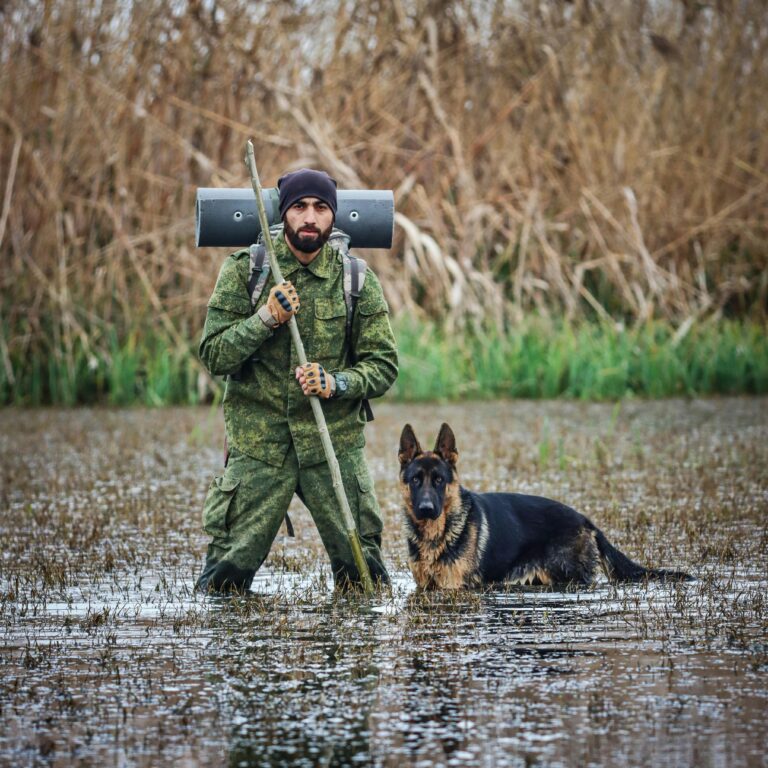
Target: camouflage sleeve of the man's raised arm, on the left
{"x": 231, "y": 333}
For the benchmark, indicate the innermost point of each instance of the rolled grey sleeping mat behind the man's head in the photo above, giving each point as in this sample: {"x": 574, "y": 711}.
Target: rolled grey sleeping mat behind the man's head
{"x": 228, "y": 217}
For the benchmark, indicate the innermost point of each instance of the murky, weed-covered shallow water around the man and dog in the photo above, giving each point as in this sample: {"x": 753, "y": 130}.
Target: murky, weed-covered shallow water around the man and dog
{"x": 109, "y": 658}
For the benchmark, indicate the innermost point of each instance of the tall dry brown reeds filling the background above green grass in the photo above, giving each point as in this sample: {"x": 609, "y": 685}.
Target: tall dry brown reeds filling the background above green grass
{"x": 576, "y": 157}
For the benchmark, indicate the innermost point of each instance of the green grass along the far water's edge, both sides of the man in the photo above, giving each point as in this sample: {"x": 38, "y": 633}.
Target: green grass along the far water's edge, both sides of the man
{"x": 590, "y": 361}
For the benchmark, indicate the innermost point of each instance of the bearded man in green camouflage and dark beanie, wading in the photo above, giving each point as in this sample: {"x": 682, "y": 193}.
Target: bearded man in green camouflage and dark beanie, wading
{"x": 274, "y": 443}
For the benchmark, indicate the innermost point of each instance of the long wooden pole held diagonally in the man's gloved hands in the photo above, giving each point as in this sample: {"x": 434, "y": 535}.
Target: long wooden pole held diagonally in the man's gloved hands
{"x": 317, "y": 410}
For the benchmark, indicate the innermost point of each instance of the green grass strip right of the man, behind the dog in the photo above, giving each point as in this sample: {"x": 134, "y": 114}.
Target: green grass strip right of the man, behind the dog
{"x": 585, "y": 360}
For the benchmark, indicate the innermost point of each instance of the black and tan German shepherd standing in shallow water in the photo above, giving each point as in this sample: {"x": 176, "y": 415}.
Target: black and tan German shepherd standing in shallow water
{"x": 458, "y": 538}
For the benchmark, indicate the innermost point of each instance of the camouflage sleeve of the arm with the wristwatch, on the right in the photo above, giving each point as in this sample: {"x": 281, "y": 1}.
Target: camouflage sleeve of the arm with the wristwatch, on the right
{"x": 373, "y": 344}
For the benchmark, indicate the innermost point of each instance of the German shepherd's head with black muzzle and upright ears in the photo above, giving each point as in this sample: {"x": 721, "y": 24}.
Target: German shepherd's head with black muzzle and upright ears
{"x": 429, "y": 479}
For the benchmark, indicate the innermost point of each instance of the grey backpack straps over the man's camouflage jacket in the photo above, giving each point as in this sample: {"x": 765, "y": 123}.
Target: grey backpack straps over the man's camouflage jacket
{"x": 353, "y": 280}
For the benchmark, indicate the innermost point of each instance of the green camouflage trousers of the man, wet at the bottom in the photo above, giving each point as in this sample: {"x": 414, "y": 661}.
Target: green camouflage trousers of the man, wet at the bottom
{"x": 245, "y": 507}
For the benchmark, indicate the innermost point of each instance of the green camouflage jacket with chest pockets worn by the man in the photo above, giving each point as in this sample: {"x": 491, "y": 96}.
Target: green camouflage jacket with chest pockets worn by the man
{"x": 264, "y": 408}
